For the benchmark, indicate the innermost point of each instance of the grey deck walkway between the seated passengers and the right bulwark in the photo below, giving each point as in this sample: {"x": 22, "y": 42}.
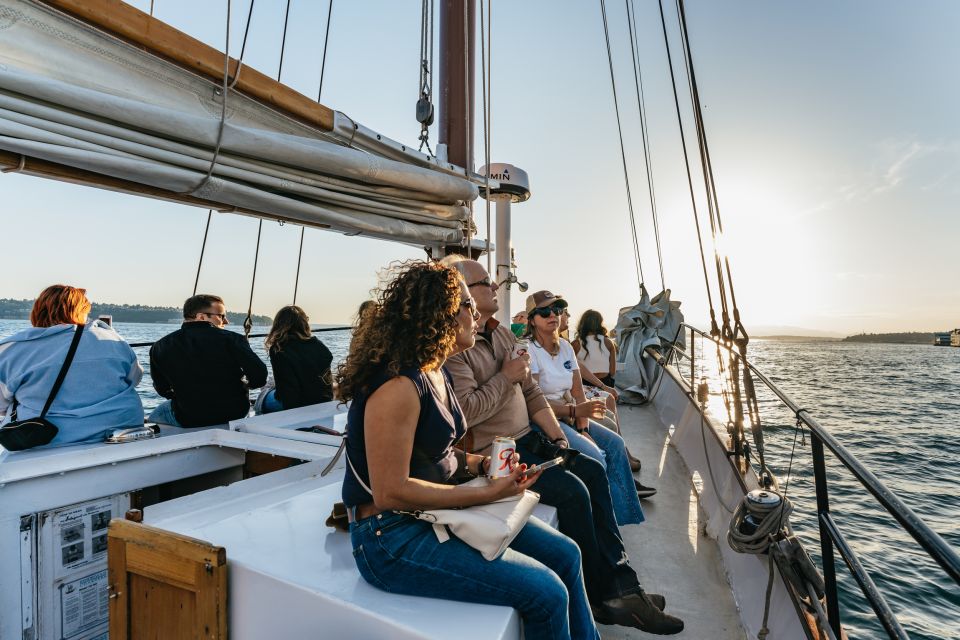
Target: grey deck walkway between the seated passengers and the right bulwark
{"x": 669, "y": 550}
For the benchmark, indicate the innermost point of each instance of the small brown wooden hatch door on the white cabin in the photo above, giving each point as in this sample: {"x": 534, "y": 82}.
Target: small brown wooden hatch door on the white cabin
{"x": 164, "y": 585}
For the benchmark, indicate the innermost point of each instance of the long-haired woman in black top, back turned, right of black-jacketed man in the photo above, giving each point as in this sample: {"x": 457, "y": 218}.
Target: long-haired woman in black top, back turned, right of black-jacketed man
{"x": 301, "y": 363}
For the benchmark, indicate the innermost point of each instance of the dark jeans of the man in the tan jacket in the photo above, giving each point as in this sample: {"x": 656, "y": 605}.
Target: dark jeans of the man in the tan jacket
{"x": 580, "y": 493}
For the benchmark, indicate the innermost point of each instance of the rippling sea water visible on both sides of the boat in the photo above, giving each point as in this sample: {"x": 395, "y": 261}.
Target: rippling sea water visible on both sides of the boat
{"x": 896, "y": 407}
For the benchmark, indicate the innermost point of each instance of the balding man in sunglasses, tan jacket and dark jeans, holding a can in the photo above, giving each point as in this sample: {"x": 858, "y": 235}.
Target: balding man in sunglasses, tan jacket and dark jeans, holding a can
{"x": 499, "y": 398}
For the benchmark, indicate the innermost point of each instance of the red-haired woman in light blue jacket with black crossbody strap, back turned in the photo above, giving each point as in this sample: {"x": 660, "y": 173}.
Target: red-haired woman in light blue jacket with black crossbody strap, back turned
{"x": 99, "y": 392}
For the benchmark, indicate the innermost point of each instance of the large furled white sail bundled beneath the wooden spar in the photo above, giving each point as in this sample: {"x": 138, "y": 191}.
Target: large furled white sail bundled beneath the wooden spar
{"x": 74, "y": 95}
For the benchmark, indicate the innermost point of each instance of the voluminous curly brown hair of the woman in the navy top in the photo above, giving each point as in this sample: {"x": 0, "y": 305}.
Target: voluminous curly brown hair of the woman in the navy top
{"x": 414, "y": 324}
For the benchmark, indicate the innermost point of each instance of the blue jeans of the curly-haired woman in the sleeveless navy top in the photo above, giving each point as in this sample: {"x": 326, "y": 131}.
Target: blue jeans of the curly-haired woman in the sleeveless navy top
{"x": 539, "y": 574}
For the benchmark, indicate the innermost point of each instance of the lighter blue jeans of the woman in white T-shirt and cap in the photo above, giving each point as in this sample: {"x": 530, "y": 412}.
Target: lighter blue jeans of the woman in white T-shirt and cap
{"x": 611, "y": 452}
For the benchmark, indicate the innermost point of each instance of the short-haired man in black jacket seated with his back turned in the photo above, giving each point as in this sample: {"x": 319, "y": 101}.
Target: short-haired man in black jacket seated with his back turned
{"x": 205, "y": 372}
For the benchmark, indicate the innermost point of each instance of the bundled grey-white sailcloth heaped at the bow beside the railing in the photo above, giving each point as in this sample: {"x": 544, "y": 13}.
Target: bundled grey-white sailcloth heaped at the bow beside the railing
{"x": 649, "y": 323}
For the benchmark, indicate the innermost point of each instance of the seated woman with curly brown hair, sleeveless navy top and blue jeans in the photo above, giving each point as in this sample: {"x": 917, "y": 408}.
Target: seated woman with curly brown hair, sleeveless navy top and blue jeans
{"x": 403, "y": 422}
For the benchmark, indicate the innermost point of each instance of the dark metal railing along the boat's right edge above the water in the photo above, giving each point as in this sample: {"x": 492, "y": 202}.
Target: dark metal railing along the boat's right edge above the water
{"x": 831, "y": 538}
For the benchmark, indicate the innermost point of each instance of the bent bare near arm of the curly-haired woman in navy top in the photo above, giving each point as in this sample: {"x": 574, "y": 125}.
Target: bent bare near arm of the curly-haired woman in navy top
{"x": 390, "y": 422}
